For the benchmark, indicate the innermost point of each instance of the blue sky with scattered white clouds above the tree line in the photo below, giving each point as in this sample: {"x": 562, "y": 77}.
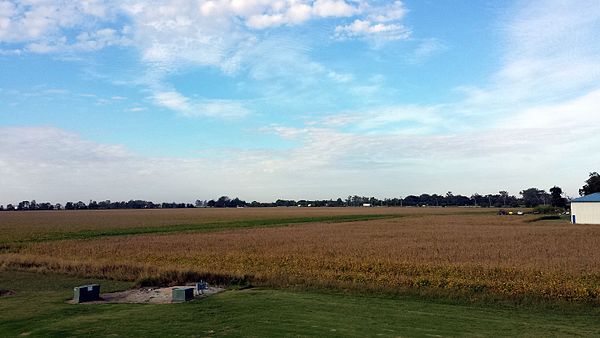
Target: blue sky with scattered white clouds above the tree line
{"x": 178, "y": 100}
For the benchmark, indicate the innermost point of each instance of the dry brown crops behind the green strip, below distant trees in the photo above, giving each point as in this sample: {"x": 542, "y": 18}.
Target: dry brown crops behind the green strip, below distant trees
{"x": 18, "y": 225}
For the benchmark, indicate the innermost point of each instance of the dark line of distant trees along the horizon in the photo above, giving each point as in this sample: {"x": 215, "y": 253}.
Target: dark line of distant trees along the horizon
{"x": 530, "y": 197}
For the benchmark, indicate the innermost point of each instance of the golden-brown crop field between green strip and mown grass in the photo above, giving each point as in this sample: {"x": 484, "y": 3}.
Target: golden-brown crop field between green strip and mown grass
{"x": 459, "y": 251}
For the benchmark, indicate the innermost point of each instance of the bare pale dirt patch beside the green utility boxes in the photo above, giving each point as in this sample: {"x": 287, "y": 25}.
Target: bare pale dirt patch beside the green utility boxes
{"x": 149, "y": 295}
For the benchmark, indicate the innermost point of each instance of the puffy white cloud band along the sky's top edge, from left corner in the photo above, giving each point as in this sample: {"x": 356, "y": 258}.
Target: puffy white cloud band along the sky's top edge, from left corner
{"x": 205, "y": 31}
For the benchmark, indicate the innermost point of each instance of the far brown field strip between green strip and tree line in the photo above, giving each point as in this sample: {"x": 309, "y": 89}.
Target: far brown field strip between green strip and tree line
{"x": 48, "y": 225}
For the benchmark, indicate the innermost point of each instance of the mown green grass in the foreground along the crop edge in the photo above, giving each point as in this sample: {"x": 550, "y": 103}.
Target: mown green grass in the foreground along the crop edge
{"x": 38, "y": 308}
